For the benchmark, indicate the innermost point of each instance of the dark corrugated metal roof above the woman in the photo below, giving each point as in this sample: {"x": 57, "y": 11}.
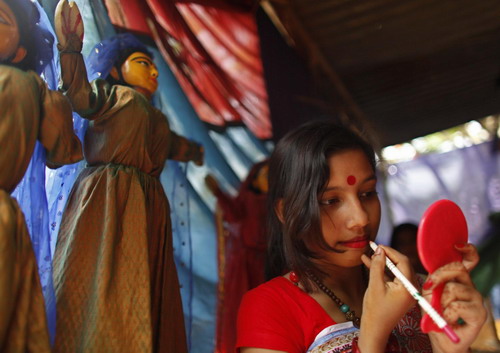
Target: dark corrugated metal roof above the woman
{"x": 410, "y": 67}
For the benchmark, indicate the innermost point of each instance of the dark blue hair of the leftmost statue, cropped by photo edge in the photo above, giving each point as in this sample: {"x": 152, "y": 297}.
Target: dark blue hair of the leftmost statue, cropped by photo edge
{"x": 37, "y": 41}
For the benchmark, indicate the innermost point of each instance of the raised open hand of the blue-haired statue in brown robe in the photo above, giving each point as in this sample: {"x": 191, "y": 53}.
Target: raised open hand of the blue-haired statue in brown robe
{"x": 69, "y": 26}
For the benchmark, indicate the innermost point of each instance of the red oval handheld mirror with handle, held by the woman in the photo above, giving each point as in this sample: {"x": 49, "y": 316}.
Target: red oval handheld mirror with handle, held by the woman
{"x": 442, "y": 226}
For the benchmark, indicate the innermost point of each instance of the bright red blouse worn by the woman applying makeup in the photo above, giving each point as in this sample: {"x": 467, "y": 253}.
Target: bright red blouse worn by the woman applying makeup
{"x": 280, "y": 316}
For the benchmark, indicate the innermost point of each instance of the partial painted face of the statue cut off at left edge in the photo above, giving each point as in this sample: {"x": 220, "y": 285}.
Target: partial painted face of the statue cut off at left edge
{"x": 9, "y": 32}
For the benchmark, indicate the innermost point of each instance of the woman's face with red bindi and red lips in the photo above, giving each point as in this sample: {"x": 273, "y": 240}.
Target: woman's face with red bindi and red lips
{"x": 350, "y": 208}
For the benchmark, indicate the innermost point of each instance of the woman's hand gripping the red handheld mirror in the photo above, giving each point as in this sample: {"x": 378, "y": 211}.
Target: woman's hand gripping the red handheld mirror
{"x": 462, "y": 304}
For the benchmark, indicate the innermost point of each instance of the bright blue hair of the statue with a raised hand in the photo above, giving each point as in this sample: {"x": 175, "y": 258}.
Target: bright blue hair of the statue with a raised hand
{"x": 113, "y": 52}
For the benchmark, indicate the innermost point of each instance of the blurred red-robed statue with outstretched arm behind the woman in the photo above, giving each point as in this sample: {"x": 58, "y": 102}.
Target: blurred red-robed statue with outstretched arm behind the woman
{"x": 243, "y": 244}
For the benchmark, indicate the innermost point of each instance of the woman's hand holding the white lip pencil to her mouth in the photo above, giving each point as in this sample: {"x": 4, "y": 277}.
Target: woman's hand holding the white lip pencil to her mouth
{"x": 385, "y": 301}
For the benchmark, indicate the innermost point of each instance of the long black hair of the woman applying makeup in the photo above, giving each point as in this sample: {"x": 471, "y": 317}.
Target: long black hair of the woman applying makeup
{"x": 298, "y": 174}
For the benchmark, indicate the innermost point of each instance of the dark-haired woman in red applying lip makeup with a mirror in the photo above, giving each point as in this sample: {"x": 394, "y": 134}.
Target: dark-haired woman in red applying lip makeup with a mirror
{"x": 324, "y": 210}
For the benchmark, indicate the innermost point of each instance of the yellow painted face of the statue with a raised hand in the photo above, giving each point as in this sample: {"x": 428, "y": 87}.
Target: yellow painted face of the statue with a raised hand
{"x": 141, "y": 73}
